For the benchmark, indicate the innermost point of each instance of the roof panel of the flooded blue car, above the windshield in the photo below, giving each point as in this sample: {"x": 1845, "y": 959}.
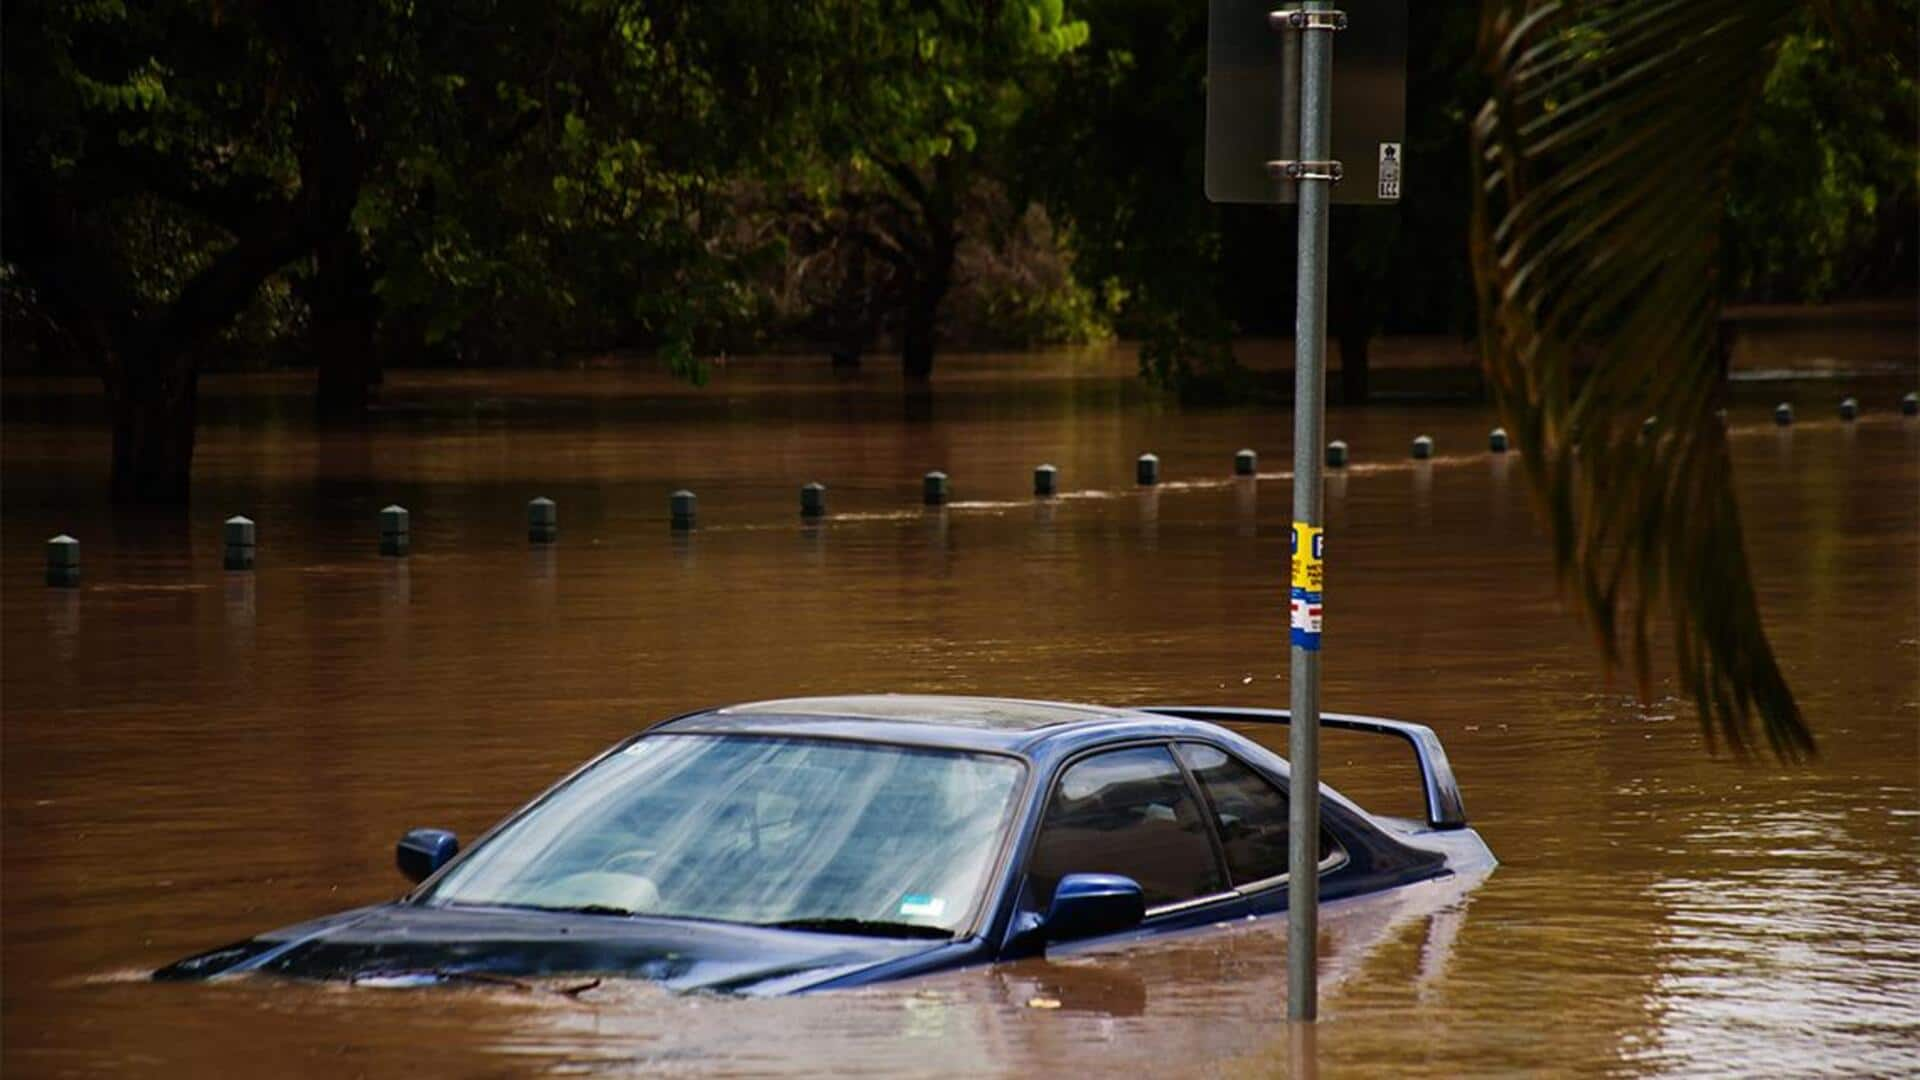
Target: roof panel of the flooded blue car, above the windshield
{"x": 921, "y": 720}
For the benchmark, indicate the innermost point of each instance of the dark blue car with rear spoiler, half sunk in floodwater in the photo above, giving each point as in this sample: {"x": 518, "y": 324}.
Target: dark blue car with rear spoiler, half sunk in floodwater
{"x": 832, "y": 843}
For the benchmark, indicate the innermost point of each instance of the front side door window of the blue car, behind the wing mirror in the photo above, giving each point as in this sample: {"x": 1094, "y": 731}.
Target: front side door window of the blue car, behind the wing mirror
{"x": 1128, "y": 812}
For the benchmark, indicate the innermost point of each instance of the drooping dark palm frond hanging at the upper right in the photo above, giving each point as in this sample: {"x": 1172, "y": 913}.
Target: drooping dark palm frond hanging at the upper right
{"x": 1602, "y": 162}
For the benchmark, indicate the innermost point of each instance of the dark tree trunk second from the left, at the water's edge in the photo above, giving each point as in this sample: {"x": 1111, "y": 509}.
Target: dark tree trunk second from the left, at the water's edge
{"x": 345, "y": 330}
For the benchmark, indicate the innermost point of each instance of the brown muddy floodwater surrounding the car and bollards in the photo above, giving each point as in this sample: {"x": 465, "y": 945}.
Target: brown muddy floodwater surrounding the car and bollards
{"x": 193, "y": 756}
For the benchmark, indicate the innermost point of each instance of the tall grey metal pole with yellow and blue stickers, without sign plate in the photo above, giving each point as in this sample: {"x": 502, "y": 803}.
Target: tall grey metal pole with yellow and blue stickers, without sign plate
{"x": 1310, "y": 406}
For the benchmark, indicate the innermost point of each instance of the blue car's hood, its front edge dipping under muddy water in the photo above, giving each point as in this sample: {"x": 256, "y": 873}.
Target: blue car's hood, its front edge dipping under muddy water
{"x": 404, "y": 945}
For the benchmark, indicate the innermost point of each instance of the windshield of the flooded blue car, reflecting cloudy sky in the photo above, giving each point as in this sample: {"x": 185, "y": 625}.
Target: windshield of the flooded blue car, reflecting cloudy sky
{"x": 769, "y": 831}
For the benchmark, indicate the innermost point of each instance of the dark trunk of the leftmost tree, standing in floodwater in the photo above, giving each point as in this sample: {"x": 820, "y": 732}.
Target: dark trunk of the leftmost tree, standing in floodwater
{"x": 155, "y": 405}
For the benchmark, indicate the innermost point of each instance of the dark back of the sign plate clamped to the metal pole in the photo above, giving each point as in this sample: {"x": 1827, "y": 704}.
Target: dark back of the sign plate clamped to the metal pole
{"x": 1249, "y": 91}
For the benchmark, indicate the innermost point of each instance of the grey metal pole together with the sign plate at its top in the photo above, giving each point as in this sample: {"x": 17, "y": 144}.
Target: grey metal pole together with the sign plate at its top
{"x": 1270, "y": 139}
